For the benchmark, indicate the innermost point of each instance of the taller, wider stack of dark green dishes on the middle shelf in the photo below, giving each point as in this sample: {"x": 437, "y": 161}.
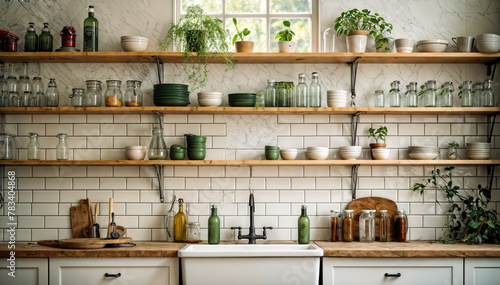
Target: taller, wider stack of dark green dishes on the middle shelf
{"x": 170, "y": 94}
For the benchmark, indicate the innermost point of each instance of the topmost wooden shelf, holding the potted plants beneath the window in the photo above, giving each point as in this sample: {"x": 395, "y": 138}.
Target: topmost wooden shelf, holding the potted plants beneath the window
{"x": 256, "y": 57}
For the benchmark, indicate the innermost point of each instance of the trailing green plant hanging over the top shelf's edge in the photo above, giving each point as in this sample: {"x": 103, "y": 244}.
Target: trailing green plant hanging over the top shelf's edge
{"x": 201, "y": 37}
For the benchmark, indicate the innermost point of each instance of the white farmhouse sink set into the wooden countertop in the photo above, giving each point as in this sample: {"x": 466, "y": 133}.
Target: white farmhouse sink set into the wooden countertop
{"x": 250, "y": 264}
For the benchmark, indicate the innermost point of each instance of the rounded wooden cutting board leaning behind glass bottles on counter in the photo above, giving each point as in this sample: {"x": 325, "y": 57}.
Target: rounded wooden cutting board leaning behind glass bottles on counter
{"x": 375, "y": 203}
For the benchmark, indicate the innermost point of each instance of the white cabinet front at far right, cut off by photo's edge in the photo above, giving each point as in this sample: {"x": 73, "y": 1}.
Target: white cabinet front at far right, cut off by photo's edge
{"x": 482, "y": 271}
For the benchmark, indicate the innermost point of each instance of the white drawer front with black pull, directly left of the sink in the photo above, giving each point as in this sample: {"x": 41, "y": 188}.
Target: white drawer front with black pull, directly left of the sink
{"x": 97, "y": 271}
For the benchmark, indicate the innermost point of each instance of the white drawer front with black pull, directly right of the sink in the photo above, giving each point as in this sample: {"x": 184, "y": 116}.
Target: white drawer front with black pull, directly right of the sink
{"x": 405, "y": 271}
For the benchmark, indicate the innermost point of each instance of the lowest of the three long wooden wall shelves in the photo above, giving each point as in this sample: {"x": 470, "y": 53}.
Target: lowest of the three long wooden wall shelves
{"x": 243, "y": 162}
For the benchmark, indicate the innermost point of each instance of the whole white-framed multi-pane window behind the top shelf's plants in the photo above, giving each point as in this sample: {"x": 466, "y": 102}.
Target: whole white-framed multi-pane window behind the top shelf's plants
{"x": 264, "y": 19}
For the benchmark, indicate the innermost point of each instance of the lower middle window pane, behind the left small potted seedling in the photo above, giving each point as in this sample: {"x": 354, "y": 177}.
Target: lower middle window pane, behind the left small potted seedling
{"x": 257, "y": 27}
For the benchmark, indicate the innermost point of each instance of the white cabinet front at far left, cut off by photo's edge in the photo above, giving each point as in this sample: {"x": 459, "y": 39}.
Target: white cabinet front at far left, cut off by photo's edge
{"x": 28, "y": 271}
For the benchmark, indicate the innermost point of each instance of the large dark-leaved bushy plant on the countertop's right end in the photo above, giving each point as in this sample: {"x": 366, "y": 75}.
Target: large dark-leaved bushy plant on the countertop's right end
{"x": 470, "y": 220}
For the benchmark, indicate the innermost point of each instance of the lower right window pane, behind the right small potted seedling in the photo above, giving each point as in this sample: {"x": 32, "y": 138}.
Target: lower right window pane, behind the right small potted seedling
{"x": 302, "y": 29}
